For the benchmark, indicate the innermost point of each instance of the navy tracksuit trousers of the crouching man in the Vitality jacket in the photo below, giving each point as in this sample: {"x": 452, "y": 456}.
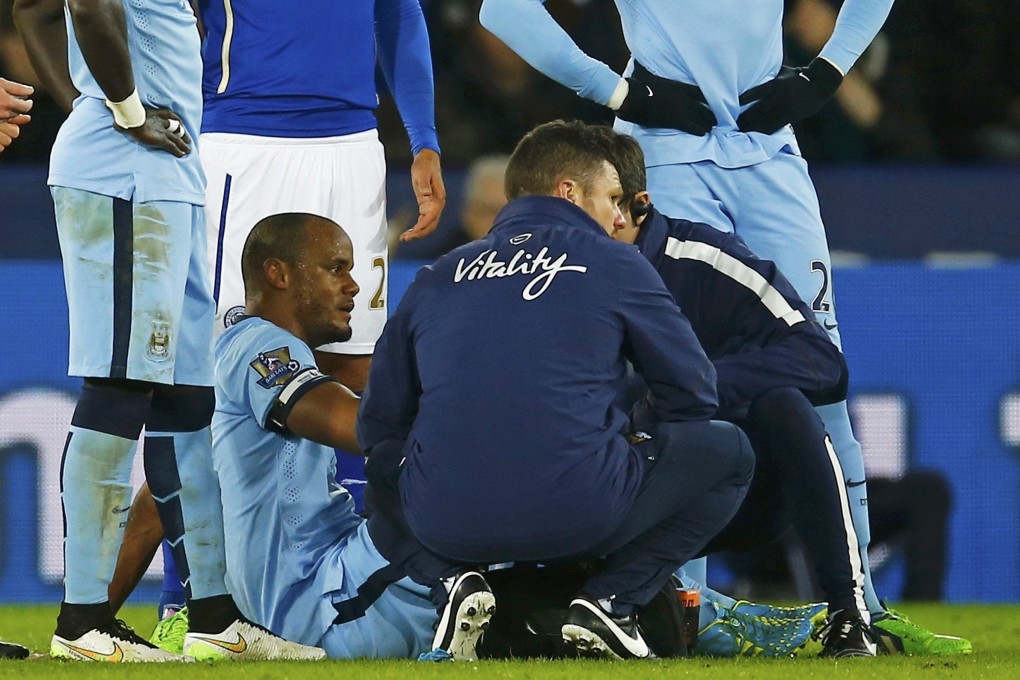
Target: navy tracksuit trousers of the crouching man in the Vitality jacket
{"x": 697, "y": 477}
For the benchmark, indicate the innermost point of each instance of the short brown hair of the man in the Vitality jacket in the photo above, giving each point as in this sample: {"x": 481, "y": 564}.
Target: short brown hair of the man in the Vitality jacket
{"x": 555, "y": 150}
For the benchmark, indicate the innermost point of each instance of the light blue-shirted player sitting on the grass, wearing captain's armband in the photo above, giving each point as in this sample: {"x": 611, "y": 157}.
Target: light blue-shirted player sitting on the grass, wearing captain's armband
{"x": 299, "y": 560}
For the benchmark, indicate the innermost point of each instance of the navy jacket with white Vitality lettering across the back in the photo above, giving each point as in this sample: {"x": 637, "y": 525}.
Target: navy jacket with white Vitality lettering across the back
{"x": 497, "y": 378}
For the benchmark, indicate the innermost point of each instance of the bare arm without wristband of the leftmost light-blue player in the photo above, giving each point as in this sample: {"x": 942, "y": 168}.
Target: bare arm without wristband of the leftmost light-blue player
{"x": 41, "y": 24}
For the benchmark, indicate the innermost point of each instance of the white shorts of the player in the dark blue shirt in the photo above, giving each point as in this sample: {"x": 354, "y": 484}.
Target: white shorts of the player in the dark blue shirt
{"x": 340, "y": 178}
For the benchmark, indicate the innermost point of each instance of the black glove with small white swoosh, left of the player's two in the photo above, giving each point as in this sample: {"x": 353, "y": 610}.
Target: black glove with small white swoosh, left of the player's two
{"x": 658, "y": 102}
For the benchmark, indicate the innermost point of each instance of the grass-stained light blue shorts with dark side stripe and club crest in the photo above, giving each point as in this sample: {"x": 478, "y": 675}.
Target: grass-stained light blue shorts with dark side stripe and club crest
{"x": 139, "y": 298}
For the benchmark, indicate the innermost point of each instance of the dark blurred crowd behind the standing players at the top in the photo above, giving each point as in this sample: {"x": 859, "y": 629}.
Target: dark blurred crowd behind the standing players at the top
{"x": 940, "y": 85}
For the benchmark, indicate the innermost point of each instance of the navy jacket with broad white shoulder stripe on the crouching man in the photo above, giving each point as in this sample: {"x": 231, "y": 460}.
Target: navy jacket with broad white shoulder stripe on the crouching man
{"x": 753, "y": 326}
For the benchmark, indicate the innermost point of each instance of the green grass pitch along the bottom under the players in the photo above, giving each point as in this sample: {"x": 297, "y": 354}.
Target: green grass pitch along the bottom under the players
{"x": 995, "y": 631}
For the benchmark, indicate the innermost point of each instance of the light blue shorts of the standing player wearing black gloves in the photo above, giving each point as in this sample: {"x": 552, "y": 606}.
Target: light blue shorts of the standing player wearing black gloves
{"x": 772, "y": 205}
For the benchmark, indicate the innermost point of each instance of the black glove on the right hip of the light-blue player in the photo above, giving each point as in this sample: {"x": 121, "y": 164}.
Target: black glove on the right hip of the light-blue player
{"x": 793, "y": 95}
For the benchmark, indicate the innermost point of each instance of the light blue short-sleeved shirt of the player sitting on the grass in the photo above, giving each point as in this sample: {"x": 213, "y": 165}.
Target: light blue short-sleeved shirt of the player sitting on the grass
{"x": 285, "y": 515}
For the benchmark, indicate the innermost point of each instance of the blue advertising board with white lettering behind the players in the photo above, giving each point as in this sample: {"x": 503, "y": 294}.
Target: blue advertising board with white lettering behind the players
{"x": 936, "y": 384}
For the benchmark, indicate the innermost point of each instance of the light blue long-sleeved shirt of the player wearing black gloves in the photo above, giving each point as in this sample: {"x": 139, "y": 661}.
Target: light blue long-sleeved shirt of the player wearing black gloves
{"x": 726, "y": 47}
